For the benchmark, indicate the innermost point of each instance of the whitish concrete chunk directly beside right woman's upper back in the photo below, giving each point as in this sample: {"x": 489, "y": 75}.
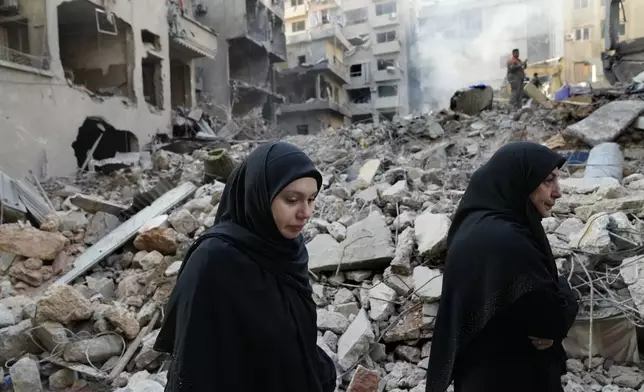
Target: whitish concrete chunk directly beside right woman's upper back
{"x": 431, "y": 232}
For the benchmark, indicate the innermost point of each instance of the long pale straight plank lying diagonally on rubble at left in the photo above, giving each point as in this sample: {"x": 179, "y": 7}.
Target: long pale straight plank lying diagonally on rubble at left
{"x": 128, "y": 229}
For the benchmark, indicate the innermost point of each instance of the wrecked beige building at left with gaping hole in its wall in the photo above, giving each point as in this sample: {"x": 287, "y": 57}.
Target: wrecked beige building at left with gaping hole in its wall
{"x": 92, "y": 77}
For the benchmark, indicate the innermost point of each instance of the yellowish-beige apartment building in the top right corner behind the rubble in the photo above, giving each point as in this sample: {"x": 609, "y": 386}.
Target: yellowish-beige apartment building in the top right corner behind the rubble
{"x": 584, "y": 35}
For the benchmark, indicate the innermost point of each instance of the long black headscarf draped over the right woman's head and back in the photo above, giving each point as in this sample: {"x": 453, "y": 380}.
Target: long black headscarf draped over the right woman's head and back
{"x": 497, "y": 251}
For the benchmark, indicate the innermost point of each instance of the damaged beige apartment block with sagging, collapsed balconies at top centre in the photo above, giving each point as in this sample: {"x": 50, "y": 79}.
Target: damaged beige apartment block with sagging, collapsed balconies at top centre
{"x": 312, "y": 79}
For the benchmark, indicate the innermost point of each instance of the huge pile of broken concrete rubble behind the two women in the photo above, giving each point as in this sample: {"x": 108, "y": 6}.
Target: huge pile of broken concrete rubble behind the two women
{"x": 376, "y": 246}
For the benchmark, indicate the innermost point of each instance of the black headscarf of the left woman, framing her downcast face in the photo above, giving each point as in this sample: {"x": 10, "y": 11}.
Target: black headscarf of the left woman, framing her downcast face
{"x": 244, "y": 216}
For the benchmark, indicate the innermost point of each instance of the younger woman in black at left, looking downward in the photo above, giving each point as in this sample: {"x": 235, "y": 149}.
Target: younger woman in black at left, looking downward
{"x": 241, "y": 316}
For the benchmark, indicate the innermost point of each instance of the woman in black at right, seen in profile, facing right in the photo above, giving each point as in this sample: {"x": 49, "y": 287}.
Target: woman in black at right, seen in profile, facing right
{"x": 504, "y": 310}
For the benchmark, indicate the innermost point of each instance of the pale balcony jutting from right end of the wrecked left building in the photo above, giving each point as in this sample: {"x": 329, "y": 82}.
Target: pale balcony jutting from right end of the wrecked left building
{"x": 190, "y": 37}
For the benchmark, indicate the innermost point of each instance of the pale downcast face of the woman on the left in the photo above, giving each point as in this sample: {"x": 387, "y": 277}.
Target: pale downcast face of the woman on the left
{"x": 293, "y": 206}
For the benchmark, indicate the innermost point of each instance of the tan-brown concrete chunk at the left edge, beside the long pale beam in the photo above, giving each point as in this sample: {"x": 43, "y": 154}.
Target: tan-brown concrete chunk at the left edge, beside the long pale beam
{"x": 28, "y": 241}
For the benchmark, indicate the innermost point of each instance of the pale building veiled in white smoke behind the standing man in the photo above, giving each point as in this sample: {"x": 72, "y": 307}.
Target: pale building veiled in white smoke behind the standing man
{"x": 465, "y": 42}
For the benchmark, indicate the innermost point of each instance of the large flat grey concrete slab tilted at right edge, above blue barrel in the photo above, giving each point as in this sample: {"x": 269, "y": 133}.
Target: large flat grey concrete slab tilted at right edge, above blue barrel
{"x": 607, "y": 122}
